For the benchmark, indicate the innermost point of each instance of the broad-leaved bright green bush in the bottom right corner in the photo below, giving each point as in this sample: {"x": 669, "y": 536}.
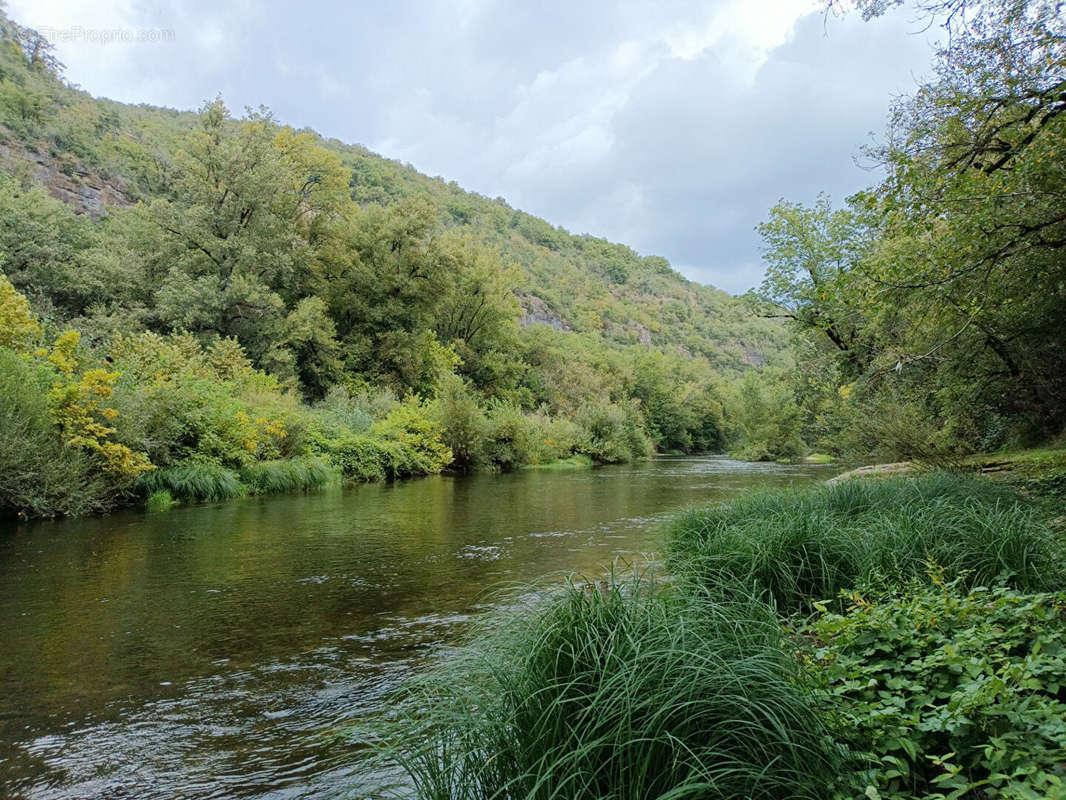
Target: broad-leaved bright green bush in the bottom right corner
{"x": 943, "y": 693}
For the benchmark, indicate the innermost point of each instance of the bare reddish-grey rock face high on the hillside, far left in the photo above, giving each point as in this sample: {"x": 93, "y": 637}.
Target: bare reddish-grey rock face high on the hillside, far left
{"x": 84, "y": 190}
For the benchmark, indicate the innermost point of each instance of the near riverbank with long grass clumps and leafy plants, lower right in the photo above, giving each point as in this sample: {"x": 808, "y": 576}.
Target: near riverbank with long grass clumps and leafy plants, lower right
{"x": 883, "y": 638}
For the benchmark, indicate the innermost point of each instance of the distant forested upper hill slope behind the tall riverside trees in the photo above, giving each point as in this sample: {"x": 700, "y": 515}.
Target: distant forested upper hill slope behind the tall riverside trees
{"x": 96, "y": 155}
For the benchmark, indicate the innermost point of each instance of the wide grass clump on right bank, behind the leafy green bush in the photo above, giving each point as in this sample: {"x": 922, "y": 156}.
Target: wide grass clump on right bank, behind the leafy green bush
{"x": 802, "y": 546}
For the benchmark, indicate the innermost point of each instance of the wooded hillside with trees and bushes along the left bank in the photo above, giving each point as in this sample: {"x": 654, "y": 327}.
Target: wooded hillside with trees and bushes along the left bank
{"x": 198, "y": 308}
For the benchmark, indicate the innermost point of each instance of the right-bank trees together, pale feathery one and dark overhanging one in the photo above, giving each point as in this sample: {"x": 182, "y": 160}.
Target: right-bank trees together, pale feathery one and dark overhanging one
{"x": 939, "y": 294}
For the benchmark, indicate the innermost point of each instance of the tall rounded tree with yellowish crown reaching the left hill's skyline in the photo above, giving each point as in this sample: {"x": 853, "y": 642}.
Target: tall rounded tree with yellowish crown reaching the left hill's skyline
{"x": 243, "y": 225}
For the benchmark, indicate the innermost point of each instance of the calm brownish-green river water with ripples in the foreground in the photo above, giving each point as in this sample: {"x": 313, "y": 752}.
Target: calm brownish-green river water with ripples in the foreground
{"x": 228, "y": 651}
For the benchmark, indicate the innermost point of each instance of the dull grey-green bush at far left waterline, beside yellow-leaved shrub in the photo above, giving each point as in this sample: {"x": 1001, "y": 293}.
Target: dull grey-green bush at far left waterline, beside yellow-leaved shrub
{"x": 40, "y": 475}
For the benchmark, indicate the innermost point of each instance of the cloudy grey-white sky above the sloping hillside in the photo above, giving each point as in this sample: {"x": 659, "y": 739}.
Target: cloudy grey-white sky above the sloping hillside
{"x": 672, "y": 126}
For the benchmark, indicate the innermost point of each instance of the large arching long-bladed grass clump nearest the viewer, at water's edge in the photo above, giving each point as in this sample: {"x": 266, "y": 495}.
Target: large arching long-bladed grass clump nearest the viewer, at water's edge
{"x": 623, "y": 692}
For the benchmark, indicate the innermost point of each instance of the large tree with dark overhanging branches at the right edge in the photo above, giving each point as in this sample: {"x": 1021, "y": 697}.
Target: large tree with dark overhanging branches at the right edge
{"x": 973, "y": 213}
